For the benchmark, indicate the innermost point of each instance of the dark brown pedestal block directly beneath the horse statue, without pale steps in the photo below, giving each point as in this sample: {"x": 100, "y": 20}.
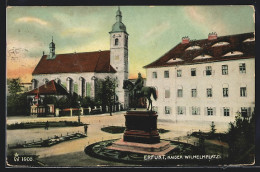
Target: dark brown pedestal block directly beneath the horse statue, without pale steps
{"x": 141, "y": 127}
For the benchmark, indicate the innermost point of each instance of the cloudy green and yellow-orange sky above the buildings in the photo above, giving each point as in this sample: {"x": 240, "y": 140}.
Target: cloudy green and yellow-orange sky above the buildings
{"x": 153, "y": 30}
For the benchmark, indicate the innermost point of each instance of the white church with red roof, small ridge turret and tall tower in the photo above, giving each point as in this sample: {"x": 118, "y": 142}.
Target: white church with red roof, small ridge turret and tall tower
{"x": 79, "y": 72}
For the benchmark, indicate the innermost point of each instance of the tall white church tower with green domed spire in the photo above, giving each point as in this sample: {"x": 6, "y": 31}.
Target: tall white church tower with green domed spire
{"x": 119, "y": 56}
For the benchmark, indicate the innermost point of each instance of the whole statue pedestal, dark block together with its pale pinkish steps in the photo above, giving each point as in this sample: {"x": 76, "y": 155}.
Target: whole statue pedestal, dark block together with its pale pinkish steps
{"x": 141, "y": 135}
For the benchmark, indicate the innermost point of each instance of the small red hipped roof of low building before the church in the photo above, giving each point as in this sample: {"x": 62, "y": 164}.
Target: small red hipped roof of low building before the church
{"x": 50, "y": 88}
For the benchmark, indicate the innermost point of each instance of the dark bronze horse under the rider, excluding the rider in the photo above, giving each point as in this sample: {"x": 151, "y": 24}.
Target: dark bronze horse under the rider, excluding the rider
{"x": 145, "y": 92}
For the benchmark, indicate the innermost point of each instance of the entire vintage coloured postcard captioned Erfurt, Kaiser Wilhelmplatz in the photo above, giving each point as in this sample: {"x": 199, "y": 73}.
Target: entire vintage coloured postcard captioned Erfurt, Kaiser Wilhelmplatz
{"x": 145, "y": 86}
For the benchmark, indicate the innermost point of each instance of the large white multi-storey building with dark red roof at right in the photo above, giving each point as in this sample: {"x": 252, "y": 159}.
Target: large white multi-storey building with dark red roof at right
{"x": 210, "y": 79}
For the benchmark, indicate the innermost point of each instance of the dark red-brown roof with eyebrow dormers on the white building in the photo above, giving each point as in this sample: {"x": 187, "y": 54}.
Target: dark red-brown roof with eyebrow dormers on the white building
{"x": 231, "y": 47}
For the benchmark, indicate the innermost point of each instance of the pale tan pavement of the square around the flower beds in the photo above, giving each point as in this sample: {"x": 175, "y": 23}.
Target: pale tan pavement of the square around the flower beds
{"x": 178, "y": 129}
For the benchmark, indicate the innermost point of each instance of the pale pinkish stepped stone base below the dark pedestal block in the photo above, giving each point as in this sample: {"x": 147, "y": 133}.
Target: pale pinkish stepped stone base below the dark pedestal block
{"x": 155, "y": 149}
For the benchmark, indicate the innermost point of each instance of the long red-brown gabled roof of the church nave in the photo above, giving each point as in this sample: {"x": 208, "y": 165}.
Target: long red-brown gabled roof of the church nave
{"x": 98, "y": 61}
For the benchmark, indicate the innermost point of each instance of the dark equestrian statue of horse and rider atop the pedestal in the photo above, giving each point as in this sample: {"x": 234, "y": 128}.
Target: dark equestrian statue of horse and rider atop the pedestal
{"x": 137, "y": 90}
